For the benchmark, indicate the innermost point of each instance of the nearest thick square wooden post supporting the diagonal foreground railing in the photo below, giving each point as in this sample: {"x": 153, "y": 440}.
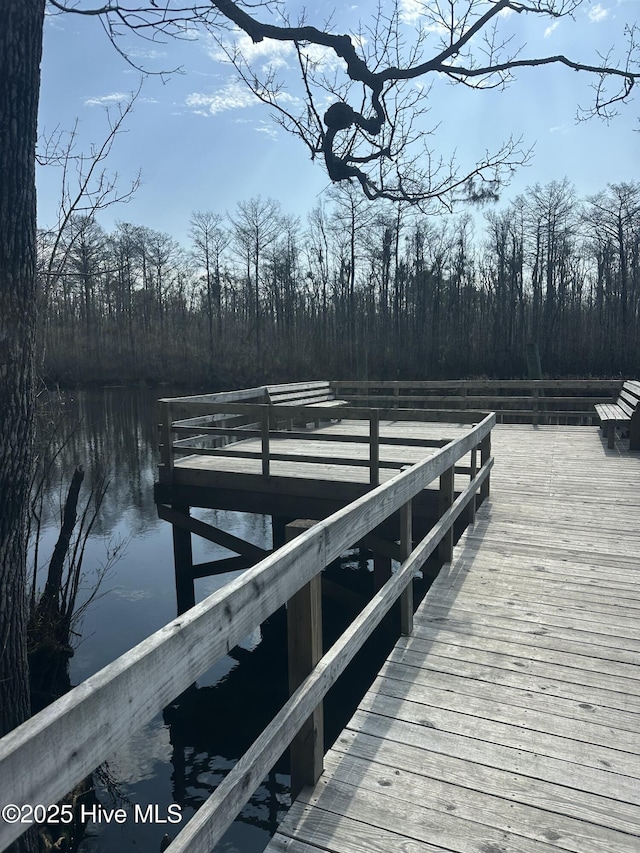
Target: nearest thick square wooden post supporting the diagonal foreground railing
{"x": 304, "y": 637}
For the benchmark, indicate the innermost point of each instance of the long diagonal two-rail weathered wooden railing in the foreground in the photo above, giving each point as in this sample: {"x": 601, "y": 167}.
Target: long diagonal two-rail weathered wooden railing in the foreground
{"x": 45, "y": 757}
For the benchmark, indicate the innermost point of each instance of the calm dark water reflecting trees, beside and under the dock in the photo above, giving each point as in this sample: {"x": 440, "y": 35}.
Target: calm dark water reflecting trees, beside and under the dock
{"x": 182, "y": 755}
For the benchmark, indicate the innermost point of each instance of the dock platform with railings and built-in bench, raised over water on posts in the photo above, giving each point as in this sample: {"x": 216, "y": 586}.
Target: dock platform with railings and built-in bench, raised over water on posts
{"x": 293, "y": 451}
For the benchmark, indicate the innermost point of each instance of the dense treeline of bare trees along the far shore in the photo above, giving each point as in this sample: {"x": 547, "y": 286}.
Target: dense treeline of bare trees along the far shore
{"x": 356, "y": 291}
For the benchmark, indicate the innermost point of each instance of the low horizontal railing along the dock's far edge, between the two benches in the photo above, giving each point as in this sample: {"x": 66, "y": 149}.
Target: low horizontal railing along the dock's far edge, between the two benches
{"x": 513, "y": 400}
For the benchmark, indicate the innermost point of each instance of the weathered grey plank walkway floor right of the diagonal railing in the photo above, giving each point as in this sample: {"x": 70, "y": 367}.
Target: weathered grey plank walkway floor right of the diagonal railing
{"x": 510, "y": 720}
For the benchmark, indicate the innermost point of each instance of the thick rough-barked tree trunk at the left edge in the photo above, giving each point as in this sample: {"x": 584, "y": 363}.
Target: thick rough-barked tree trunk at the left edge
{"x": 20, "y": 53}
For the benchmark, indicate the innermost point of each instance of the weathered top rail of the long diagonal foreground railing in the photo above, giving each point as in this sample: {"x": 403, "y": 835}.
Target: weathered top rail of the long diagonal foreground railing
{"x": 42, "y": 759}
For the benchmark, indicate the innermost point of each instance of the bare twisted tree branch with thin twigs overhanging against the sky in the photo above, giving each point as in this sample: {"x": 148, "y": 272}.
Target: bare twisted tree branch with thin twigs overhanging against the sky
{"x": 369, "y": 131}
